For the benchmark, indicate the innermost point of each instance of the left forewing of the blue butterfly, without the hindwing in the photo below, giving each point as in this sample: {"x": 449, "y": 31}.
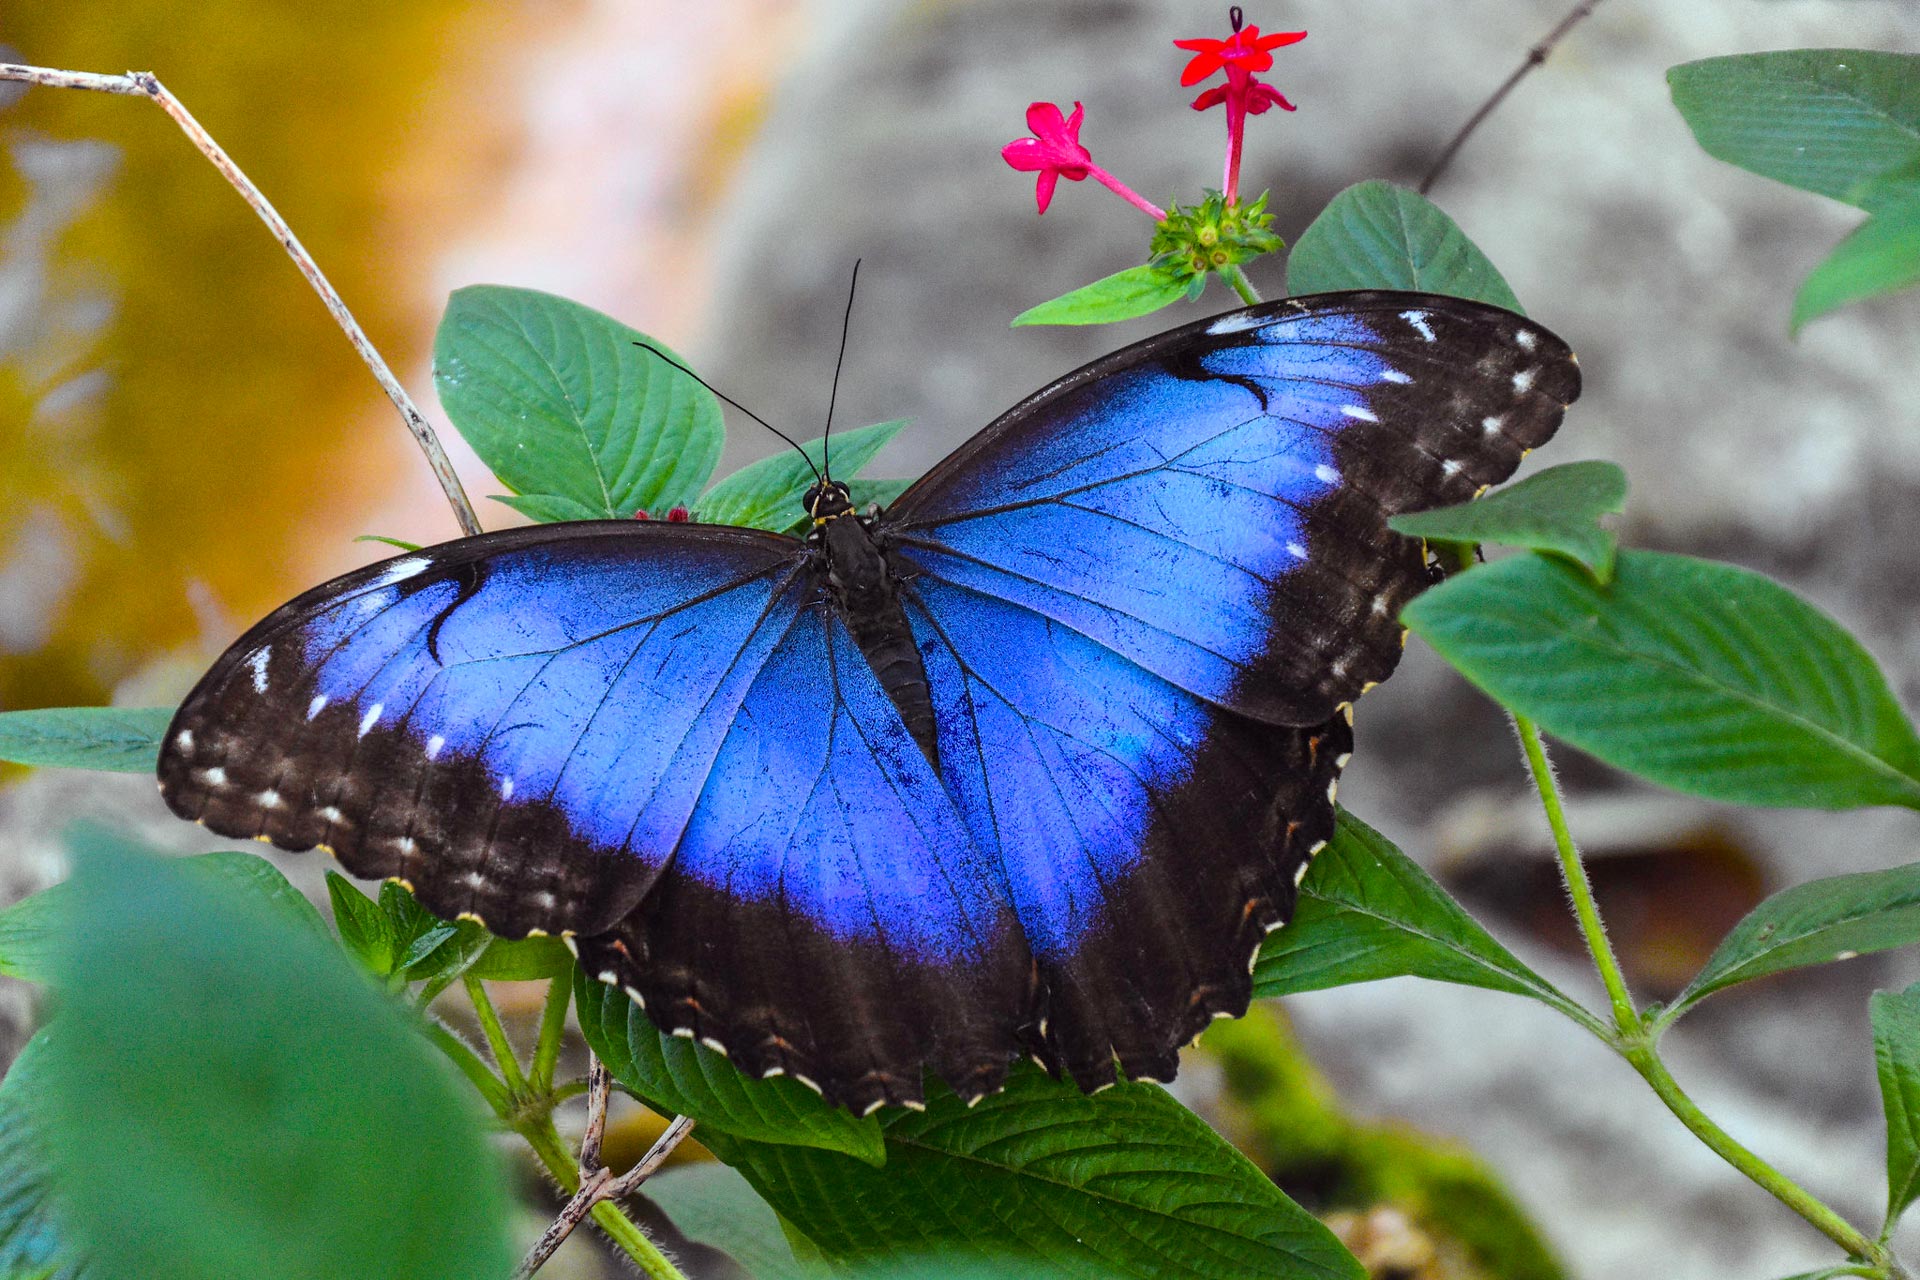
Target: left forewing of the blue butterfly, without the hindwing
{"x": 516, "y": 724}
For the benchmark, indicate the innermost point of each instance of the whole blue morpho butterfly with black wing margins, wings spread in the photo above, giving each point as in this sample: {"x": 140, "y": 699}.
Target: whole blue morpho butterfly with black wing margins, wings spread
{"x": 1024, "y": 765}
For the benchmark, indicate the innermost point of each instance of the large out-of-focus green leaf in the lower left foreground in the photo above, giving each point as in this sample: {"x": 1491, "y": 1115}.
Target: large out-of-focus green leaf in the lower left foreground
{"x": 222, "y": 1085}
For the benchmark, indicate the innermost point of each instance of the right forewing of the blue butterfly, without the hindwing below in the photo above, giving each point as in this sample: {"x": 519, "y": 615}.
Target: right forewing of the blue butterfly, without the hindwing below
{"x": 1212, "y": 504}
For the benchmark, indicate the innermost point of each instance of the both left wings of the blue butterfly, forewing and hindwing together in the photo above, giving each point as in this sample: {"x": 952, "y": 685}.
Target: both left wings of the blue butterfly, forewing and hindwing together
{"x": 652, "y": 736}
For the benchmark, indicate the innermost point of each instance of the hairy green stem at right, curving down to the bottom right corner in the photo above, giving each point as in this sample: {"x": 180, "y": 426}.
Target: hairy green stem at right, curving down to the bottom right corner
{"x": 1635, "y": 1041}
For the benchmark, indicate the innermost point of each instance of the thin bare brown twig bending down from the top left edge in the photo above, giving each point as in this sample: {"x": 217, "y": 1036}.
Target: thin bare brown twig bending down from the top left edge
{"x": 145, "y": 85}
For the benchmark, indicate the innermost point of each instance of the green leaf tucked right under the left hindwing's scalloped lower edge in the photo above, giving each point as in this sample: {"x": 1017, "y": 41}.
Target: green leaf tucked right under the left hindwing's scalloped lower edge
{"x": 679, "y": 1078}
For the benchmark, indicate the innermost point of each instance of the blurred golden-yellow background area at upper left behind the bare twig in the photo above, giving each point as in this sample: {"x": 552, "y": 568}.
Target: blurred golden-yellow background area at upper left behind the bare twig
{"x": 235, "y": 425}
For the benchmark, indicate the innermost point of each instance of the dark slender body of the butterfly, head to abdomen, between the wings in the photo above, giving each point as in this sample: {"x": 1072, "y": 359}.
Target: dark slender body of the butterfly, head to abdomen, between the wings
{"x": 865, "y": 586}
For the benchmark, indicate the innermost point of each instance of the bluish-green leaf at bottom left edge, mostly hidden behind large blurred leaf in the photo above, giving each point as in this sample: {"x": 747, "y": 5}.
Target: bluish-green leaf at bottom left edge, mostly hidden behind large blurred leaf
{"x": 34, "y": 1239}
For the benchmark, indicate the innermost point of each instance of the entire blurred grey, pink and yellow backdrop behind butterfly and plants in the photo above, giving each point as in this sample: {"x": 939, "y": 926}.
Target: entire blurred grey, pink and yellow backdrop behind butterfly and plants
{"x": 185, "y": 440}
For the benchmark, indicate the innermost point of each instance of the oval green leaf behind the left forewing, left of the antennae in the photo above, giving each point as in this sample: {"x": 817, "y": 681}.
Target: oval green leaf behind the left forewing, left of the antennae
{"x": 560, "y": 402}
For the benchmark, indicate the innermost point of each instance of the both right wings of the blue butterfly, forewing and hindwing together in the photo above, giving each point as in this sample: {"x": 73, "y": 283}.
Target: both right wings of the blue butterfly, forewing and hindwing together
{"x": 1147, "y": 598}
